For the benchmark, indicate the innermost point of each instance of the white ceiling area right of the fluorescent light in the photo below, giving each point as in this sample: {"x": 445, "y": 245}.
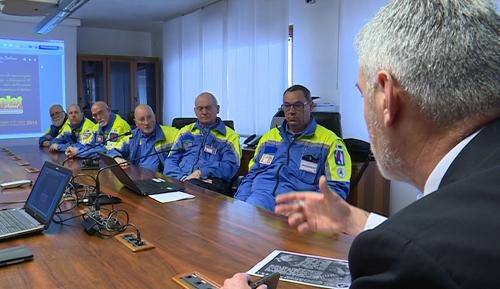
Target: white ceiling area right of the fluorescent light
{"x": 140, "y": 15}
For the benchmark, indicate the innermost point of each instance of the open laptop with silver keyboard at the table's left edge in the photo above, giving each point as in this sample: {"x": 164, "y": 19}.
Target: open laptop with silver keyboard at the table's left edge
{"x": 40, "y": 206}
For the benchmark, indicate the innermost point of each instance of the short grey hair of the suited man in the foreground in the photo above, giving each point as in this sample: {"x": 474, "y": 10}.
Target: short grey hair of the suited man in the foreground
{"x": 444, "y": 53}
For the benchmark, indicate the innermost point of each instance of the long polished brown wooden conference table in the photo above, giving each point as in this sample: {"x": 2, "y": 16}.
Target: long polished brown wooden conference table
{"x": 210, "y": 234}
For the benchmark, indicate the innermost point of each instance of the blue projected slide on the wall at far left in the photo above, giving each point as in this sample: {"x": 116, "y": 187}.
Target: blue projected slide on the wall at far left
{"x": 31, "y": 80}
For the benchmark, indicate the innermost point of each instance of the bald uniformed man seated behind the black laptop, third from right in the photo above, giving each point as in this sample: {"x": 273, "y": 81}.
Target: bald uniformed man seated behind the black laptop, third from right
{"x": 147, "y": 139}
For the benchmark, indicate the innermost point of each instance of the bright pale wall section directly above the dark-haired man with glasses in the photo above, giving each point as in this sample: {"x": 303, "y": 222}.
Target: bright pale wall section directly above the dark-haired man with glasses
{"x": 315, "y": 49}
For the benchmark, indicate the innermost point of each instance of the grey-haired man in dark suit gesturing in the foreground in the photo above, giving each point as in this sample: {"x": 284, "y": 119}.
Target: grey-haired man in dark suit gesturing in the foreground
{"x": 430, "y": 78}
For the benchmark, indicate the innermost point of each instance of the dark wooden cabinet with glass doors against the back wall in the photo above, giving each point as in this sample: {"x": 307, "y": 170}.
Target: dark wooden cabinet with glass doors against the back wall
{"x": 121, "y": 81}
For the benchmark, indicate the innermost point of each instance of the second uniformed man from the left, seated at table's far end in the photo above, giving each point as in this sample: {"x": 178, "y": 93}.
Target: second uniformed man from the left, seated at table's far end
{"x": 79, "y": 128}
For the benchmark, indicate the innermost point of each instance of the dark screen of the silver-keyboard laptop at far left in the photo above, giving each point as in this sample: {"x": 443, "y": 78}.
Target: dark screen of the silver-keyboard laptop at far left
{"x": 47, "y": 192}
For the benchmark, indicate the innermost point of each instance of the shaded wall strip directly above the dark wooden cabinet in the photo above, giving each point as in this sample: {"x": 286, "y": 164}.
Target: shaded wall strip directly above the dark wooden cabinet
{"x": 113, "y": 42}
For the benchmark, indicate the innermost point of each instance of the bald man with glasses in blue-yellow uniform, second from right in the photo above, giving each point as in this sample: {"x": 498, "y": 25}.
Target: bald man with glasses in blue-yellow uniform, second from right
{"x": 212, "y": 150}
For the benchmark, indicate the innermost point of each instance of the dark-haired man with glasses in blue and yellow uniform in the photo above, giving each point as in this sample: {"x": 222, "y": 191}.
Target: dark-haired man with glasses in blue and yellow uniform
{"x": 294, "y": 156}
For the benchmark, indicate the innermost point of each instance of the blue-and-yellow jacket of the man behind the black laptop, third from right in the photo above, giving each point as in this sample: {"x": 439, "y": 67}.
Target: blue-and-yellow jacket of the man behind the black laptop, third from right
{"x": 139, "y": 145}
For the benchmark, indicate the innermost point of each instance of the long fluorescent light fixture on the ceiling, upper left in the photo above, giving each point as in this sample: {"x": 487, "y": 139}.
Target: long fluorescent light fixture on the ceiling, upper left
{"x": 63, "y": 10}
